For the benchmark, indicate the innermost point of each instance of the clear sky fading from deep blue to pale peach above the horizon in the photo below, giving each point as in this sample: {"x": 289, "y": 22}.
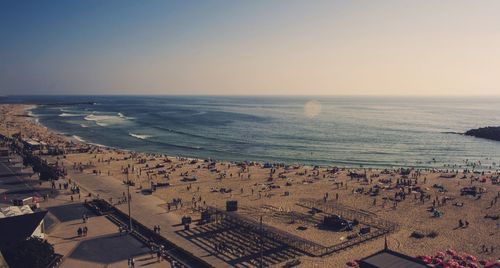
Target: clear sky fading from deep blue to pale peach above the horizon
{"x": 255, "y": 47}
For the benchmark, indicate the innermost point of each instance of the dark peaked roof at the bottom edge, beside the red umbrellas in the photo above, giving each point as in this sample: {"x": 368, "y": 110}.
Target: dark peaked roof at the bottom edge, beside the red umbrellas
{"x": 390, "y": 259}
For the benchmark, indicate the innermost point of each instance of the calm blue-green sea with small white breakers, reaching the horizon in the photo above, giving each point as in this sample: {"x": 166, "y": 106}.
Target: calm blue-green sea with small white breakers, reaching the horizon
{"x": 348, "y": 131}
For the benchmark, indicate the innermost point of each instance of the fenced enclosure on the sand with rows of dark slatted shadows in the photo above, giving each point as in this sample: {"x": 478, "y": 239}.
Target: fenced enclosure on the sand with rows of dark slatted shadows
{"x": 241, "y": 240}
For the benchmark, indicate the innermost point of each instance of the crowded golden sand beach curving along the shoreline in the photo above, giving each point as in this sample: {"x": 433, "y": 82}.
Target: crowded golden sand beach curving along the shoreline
{"x": 274, "y": 192}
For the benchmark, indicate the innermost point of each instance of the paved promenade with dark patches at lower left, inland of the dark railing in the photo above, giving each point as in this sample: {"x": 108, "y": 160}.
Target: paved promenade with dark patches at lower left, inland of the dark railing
{"x": 102, "y": 247}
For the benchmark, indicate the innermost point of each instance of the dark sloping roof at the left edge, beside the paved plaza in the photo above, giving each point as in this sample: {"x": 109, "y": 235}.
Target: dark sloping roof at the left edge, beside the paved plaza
{"x": 17, "y": 228}
